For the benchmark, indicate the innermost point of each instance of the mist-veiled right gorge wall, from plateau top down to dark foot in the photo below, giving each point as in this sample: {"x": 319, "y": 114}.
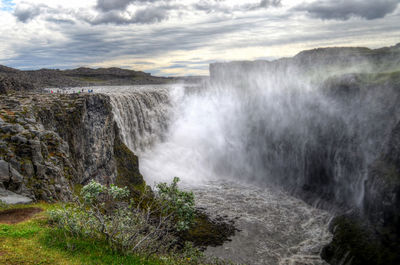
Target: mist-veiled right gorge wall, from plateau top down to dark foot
{"x": 325, "y": 126}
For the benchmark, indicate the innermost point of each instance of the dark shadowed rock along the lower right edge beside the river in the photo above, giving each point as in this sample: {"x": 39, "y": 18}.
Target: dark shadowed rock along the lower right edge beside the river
{"x": 373, "y": 236}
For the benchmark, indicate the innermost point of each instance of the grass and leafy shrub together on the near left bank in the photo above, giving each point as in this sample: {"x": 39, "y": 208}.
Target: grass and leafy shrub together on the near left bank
{"x": 104, "y": 227}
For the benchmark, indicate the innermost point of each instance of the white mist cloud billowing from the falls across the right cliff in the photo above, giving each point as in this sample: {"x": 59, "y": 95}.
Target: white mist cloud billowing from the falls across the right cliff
{"x": 308, "y": 130}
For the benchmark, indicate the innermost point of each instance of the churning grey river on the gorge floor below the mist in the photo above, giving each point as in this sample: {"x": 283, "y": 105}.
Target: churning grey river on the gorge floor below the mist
{"x": 275, "y": 228}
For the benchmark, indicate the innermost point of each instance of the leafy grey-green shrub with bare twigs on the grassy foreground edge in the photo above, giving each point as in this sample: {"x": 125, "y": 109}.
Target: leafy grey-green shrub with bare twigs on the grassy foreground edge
{"x": 144, "y": 226}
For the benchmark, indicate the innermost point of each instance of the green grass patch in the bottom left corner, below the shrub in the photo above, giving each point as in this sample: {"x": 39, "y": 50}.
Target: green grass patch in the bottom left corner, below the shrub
{"x": 36, "y": 242}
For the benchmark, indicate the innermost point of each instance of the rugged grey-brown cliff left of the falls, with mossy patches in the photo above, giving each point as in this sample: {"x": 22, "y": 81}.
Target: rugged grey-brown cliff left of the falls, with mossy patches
{"x": 51, "y": 144}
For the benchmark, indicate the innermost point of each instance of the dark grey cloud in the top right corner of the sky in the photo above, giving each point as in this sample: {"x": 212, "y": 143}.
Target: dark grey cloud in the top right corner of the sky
{"x": 345, "y": 9}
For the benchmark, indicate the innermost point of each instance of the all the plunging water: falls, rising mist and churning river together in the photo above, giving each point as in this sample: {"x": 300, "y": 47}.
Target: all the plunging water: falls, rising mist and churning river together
{"x": 235, "y": 141}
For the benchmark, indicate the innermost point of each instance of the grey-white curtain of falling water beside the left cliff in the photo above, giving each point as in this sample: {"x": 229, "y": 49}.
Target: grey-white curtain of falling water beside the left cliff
{"x": 142, "y": 114}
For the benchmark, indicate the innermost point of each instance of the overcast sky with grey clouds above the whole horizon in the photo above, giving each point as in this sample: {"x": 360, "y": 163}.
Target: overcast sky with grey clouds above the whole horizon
{"x": 181, "y": 37}
